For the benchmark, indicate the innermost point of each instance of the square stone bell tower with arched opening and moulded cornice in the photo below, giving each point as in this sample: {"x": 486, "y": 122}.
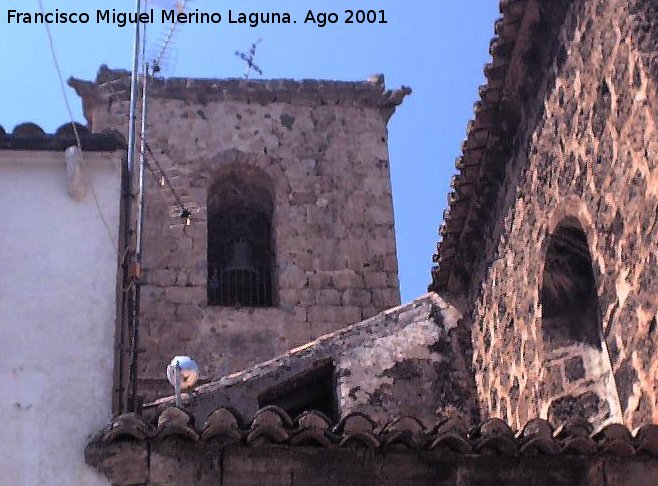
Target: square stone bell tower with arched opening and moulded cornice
{"x": 290, "y": 233}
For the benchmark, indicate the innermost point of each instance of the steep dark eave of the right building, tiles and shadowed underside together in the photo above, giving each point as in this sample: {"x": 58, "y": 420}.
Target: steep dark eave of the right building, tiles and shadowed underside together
{"x": 523, "y": 36}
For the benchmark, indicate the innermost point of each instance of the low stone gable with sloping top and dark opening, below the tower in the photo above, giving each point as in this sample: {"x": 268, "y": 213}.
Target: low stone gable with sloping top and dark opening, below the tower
{"x": 404, "y": 361}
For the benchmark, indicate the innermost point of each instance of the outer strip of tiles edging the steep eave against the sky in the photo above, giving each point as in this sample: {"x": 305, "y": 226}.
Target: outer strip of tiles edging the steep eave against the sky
{"x": 479, "y": 166}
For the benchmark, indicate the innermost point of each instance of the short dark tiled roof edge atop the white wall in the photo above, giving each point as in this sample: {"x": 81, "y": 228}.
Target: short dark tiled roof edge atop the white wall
{"x": 30, "y": 136}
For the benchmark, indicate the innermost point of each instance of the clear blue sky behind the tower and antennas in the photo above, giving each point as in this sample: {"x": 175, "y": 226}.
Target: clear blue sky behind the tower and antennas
{"x": 437, "y": 47}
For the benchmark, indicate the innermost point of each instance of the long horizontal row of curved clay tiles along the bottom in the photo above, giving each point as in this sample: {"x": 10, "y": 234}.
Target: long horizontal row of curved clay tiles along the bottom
{"x": 272, "y": 425}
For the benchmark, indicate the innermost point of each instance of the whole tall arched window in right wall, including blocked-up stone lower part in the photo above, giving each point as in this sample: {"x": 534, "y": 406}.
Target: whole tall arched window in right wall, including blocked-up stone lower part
{"x": 577, "y": 375}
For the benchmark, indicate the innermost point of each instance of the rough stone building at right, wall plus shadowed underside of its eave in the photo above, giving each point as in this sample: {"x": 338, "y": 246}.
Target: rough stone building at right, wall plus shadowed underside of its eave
{"x": 580, "y": 91}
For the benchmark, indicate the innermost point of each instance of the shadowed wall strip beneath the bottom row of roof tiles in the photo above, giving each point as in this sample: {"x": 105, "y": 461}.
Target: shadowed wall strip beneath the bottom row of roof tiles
{"x": 172, "y": 462}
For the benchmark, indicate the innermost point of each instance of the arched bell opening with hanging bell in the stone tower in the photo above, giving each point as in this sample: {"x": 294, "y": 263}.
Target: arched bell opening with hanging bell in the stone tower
{"x": 240, "y": 247}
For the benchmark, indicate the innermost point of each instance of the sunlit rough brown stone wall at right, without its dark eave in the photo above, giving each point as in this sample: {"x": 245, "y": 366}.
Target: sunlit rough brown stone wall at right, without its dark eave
{"x": 585, "y": 151}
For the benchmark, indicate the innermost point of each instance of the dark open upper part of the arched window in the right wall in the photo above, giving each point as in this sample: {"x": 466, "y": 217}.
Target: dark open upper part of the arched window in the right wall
{"x": 570, "y": 308}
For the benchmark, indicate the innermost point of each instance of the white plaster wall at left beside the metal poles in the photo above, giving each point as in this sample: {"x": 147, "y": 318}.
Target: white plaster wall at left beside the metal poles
{"x": 57, "y": 315}
